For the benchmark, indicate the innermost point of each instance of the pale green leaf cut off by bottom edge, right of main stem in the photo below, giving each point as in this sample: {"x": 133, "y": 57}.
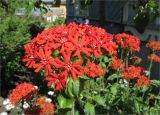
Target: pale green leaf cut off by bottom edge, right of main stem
{"x": 89, "y": 109}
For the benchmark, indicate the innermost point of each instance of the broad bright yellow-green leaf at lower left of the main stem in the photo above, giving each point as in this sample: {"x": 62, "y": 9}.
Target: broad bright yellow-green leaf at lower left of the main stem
{"x": 65, "y": 103}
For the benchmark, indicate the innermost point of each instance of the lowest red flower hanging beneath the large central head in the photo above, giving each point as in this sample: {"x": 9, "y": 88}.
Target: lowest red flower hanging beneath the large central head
{"x": 59, "y": 80}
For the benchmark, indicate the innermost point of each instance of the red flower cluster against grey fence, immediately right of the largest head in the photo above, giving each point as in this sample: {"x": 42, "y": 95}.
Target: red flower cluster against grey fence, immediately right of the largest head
{"x": 128, "y": 41}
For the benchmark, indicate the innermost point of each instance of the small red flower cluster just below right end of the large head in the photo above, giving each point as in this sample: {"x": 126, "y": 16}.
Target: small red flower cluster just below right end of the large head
{"x": 117, "y": 63}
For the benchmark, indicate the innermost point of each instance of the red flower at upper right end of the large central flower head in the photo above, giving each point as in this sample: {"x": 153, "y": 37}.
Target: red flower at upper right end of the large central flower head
{"x": 101, "y": 39}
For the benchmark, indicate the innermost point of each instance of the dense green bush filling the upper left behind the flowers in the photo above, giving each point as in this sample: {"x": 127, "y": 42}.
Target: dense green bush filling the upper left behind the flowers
{"x": 15, "y": 31}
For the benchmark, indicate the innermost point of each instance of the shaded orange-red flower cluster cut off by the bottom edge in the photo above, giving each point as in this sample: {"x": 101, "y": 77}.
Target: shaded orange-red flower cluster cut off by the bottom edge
{"x": 41, "y": 107}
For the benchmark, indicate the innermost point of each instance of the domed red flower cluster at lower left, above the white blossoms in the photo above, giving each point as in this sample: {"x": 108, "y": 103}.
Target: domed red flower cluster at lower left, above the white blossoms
{"x": 21, "y": 92}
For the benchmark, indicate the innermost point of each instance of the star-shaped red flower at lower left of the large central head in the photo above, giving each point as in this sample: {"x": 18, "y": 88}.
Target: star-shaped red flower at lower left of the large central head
{"x": 44, "y": 60}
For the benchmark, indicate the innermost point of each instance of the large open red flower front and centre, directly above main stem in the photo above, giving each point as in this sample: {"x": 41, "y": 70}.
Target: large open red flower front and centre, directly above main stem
{"x": 74, "y": 68}
